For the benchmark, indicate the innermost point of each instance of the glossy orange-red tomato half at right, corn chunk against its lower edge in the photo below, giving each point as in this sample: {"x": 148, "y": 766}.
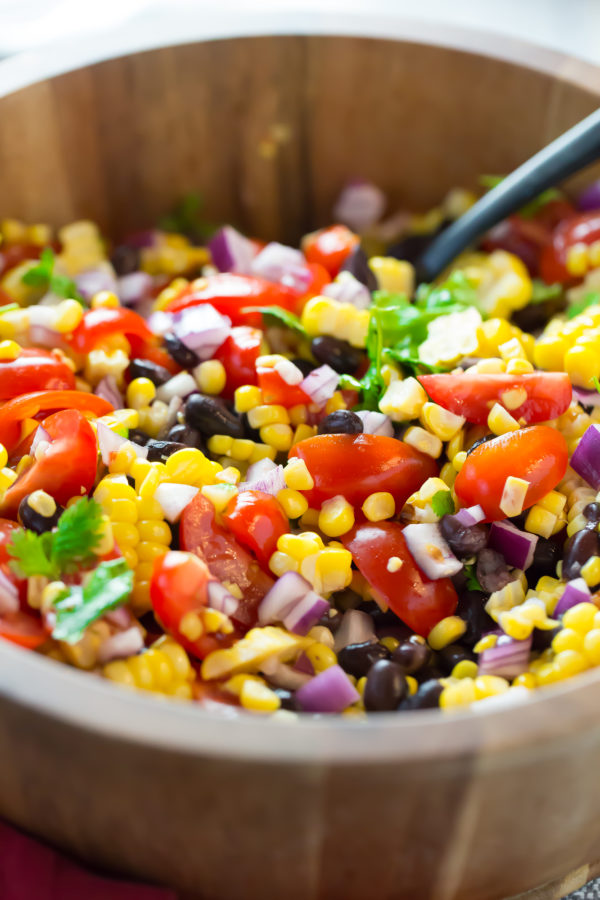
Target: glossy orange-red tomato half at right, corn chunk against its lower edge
{"x": 537, "y": 454}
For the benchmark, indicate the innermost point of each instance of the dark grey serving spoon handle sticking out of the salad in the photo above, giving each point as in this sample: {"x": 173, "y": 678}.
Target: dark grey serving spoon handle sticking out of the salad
{"x": 572, "y": 151}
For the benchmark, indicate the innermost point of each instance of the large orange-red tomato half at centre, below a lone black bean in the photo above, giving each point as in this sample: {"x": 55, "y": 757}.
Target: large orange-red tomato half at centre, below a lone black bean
{"x": 356, "y": 465}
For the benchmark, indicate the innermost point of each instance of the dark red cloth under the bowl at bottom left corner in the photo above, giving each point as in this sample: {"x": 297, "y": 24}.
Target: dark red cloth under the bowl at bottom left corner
{"x": 30, "y": 870}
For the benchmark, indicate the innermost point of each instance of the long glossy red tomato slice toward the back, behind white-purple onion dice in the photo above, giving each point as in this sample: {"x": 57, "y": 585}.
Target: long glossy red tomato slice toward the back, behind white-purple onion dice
{"x": 235, "y": 296}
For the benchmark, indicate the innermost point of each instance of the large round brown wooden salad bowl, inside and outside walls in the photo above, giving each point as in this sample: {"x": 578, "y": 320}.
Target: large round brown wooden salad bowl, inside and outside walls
{"x": 419, "y": 806}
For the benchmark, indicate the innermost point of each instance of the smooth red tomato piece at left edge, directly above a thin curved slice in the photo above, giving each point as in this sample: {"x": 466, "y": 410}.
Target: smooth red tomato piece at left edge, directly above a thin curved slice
{"x": 34, "y": 370}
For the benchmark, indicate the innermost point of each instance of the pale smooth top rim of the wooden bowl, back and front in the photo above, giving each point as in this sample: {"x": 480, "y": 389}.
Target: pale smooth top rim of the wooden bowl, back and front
{"x": 494, "y": 732}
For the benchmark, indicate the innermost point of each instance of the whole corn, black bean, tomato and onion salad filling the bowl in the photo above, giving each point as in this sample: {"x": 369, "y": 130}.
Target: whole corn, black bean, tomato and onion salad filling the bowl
{"x": 294, "y": 481}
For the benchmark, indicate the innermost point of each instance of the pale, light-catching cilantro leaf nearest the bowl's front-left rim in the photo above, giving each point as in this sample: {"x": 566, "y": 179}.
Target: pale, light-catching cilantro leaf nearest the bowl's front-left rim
{"x": 108, "y": 585}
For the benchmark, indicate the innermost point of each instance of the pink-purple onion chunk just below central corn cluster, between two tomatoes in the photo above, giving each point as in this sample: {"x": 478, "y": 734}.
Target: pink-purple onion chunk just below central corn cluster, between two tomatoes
{"x": 292, "y": 601}
